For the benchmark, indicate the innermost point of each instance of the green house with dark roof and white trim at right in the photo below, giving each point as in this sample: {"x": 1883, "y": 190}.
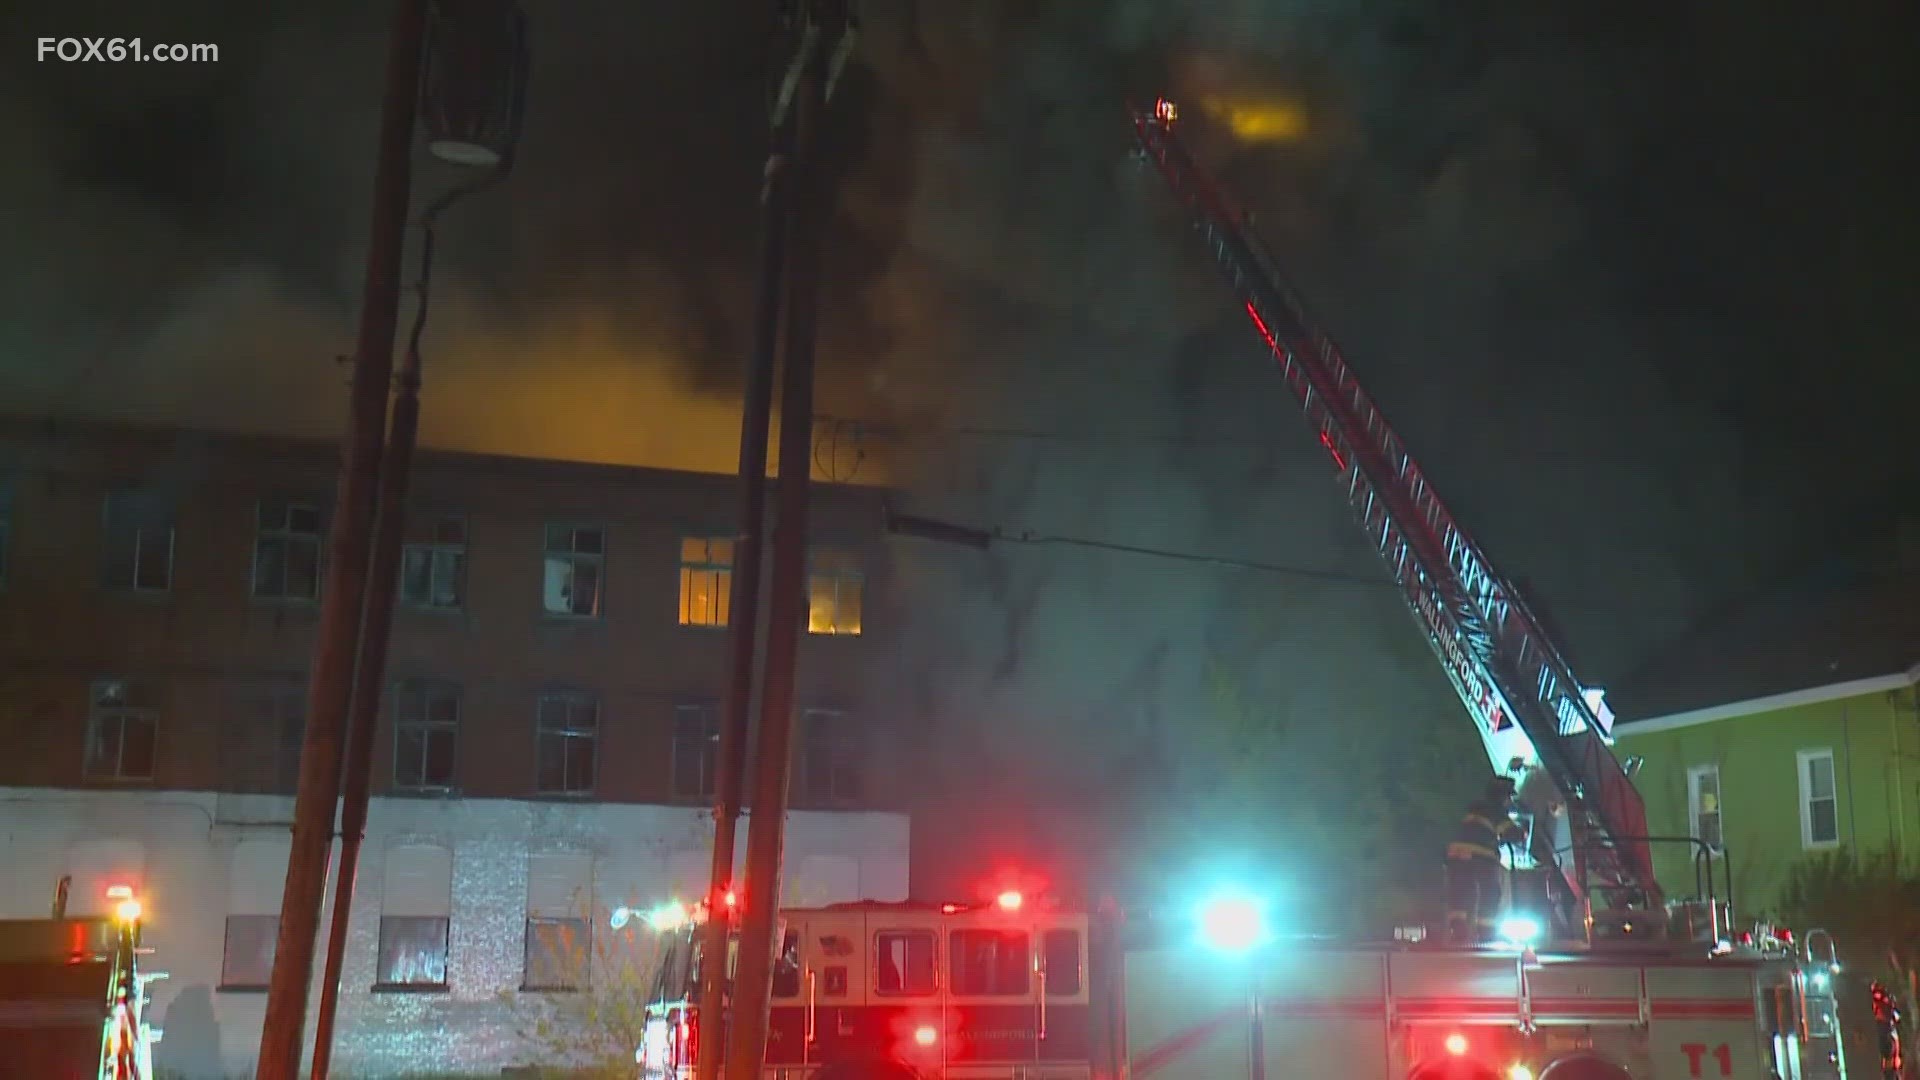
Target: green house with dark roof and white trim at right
{"x": 1792, "y": 731}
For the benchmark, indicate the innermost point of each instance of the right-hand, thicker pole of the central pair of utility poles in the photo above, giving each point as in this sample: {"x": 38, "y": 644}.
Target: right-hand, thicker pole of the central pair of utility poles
{"x": 827, "y": 24}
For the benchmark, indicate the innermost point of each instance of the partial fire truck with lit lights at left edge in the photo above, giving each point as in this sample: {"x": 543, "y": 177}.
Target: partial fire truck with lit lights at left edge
{"x": 72, "y": 994}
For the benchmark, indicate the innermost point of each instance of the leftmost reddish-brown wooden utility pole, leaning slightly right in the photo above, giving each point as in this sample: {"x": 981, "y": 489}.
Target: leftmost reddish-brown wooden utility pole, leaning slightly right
{"x": 347, "y": 574}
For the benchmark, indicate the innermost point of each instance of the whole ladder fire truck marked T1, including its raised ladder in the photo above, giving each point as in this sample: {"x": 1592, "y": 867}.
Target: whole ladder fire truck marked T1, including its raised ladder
{"x": 1598, "y": 977}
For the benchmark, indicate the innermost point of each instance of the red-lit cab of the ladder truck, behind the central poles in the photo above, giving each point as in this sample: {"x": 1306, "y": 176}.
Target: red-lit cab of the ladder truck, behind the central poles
{"x": 980, "y": 993}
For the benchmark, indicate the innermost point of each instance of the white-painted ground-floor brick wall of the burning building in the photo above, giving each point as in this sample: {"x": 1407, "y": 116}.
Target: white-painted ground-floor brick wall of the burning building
{"x": 185, "y": 854}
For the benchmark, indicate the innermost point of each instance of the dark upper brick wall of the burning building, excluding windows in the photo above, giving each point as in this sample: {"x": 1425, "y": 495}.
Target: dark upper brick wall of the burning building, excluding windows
{"x": 197, "y": 652}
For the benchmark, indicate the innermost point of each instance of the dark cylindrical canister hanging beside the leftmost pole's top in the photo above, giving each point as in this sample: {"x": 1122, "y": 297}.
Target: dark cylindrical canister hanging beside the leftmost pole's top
{"x": 473, "y": 82}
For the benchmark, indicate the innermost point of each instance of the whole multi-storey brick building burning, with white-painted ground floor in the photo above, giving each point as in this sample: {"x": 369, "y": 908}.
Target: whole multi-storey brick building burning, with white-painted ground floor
{"x": 544, "y": 754}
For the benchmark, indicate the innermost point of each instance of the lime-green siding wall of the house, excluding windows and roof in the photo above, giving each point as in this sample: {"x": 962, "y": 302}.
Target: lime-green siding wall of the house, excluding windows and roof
{"x": 1877, "y": 777}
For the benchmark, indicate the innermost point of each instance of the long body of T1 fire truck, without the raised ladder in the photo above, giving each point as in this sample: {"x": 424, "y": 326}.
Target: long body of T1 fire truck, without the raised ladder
{"x": 1026, "y": 991}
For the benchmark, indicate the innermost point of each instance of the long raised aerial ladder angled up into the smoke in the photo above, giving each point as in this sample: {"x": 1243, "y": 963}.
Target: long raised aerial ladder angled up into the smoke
{"x": 1533, "y": 716}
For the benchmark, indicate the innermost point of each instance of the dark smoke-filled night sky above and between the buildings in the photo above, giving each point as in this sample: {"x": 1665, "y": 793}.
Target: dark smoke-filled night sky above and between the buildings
{"x": 1635, "y": 283}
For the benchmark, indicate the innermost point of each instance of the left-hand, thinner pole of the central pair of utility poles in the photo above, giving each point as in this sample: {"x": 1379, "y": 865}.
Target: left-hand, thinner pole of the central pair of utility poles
{"x": 744, "y": 608}
